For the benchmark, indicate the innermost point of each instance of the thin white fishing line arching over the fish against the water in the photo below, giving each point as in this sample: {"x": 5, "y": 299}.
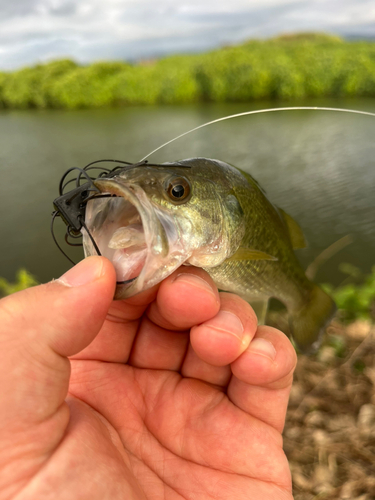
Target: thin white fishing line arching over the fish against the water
{"x": 257, "y": 112}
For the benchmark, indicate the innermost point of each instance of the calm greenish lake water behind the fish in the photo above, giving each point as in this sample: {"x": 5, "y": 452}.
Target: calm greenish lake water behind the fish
{"x": 318, "y": 166}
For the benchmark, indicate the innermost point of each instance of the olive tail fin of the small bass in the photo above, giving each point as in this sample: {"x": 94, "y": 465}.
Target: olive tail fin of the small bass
{"x": 308, "y": 324}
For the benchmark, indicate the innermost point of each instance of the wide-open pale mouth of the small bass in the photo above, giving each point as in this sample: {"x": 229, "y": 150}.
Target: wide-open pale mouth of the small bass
{"x": 127, "y": 231}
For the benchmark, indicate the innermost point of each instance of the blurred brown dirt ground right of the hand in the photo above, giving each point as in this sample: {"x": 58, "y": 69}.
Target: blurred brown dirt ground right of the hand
{"x": 329, "y": 437}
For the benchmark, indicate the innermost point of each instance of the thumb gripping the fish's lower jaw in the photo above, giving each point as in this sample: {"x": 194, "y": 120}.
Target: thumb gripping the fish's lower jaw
{"x": 40, "y": 327}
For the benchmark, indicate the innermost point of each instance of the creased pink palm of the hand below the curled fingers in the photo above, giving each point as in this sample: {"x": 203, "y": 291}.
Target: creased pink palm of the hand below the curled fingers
{"x": 177, "y": 437}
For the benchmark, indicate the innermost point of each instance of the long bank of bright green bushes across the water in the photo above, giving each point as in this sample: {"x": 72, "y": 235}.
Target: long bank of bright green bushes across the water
{"x": 287, "y": 67}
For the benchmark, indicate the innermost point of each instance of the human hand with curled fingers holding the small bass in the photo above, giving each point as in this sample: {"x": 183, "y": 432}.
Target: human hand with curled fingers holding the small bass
{"x": 158, "y": 401}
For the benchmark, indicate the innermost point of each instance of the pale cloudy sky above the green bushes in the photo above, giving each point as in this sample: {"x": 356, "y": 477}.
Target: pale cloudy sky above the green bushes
{"x": 40, "y": 30}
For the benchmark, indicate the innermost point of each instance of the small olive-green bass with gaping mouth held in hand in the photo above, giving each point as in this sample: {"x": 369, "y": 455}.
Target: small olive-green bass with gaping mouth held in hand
{"x": 209, "y": 214}
